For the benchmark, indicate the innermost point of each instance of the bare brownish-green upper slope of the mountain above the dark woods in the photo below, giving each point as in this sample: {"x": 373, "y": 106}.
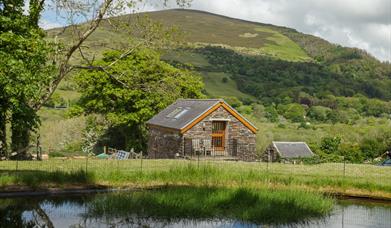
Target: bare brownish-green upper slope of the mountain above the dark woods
{"x": 255, "y": 38}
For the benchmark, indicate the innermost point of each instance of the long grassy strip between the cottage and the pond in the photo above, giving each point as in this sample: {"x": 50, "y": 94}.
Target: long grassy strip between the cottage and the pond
{"x": 357, "y": 180}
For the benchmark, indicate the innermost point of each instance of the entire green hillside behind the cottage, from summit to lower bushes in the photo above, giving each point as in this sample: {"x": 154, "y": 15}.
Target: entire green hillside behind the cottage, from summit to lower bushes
{"x": 297, "y": 86}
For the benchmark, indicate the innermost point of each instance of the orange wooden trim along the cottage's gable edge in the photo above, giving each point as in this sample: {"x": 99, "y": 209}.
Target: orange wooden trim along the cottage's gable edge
{"x": 214, "y": 108}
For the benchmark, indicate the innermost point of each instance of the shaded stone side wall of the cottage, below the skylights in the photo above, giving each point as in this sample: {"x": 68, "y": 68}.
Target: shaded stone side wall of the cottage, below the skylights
{"x": 164, "y": 143}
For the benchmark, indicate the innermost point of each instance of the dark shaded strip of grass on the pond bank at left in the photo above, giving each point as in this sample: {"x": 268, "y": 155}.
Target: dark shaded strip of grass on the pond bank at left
{"x": 36, "y": 178}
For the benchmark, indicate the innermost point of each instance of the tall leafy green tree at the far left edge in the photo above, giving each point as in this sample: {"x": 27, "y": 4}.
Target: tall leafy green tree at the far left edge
{"x": 24, "y": 71}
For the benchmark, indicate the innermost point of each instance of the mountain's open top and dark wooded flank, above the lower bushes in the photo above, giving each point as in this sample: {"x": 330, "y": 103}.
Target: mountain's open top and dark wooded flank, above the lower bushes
{"x": 276, "y": 62}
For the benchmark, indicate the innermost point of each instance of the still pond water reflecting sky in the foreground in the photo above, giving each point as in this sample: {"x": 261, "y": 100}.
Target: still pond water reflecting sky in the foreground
{"x": 75, "y": 211}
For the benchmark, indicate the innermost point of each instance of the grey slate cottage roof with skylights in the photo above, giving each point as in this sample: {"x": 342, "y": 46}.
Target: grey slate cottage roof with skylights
{"x": 169, "y": 116}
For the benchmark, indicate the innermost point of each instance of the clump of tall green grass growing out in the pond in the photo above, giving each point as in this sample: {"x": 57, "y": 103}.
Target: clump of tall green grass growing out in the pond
{"x": 246, "y": 204}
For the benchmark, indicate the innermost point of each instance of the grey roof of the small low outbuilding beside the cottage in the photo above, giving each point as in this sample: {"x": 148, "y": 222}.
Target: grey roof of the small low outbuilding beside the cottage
{"x": 293, "y": 149}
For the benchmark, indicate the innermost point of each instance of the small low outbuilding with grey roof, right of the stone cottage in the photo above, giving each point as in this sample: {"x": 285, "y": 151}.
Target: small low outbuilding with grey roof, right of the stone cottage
{"x": 287, "y": 151}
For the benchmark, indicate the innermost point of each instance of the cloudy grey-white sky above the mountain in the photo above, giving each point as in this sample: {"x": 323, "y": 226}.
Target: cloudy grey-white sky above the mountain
{"x": 364, "y": 24}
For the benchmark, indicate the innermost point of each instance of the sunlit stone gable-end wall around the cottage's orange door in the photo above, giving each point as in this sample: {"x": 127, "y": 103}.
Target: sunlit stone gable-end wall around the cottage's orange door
{"x": 236, "y": 134}
